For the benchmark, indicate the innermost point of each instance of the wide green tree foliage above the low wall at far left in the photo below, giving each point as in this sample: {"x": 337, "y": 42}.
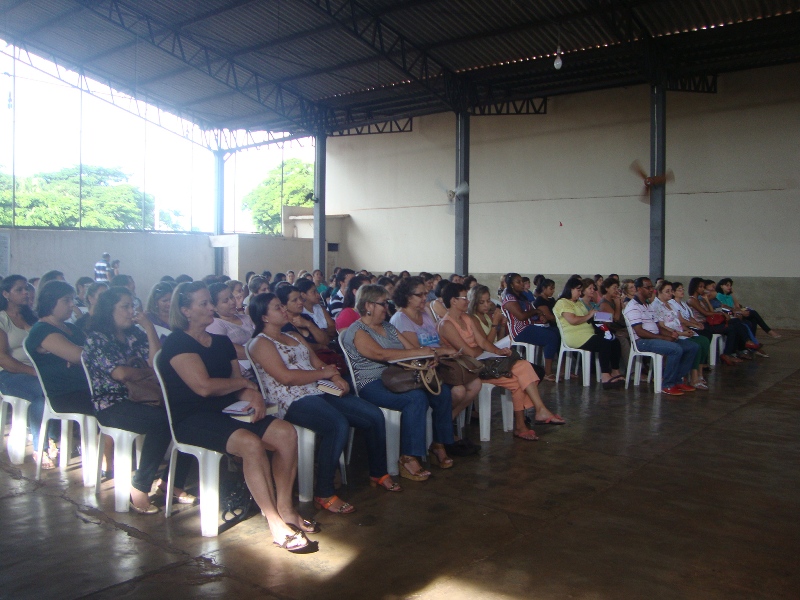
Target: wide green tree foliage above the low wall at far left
{"x": 54, "y": 200}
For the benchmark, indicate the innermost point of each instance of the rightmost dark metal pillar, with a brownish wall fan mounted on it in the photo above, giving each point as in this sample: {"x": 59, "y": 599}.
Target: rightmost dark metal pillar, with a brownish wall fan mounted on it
{"x": 658, "y": 165}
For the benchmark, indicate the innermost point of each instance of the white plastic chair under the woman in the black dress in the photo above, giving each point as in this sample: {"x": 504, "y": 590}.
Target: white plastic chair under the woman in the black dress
{"x": 209, "y": 471}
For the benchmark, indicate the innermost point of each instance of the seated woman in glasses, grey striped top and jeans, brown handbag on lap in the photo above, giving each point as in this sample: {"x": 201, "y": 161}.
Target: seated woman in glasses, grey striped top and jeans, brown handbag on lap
{"x": 371, "y": 342}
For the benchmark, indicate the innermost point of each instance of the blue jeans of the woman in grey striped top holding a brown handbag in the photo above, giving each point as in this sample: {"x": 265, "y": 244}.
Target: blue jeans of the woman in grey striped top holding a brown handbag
{"x": 414, "y": 408}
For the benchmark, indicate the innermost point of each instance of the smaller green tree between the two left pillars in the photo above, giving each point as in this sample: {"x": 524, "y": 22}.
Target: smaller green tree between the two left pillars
{"x": 264, "y": 202}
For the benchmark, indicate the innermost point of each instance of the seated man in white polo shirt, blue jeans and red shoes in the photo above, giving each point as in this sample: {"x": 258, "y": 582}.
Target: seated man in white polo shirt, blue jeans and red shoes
{"x": 652, "y": 336}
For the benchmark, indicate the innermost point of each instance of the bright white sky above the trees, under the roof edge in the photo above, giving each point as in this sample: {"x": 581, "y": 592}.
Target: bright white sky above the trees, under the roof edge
{"x": 49, "y": 135}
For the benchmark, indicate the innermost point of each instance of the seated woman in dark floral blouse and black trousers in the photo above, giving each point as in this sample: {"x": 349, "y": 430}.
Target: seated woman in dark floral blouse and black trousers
{"x": 112, "y": 344}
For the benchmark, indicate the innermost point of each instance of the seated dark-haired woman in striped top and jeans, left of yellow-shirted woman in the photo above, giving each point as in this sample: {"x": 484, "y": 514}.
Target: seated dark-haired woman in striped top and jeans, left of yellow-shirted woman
{"x": 527, "y": 325}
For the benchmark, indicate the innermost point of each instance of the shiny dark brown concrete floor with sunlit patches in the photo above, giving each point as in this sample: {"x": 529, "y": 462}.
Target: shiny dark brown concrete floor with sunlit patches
{"x": 639, "y": 496}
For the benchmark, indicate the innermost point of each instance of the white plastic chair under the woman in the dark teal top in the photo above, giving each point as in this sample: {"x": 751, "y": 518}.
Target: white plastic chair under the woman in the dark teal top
{"x": 88, "y": 425}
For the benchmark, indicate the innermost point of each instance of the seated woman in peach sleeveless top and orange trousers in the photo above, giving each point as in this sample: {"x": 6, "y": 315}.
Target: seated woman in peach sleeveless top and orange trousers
{"x": 463, "y": 333}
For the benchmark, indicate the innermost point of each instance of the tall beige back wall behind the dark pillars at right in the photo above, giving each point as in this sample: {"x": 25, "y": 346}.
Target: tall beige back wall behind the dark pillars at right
{"x": 559, "y": 189}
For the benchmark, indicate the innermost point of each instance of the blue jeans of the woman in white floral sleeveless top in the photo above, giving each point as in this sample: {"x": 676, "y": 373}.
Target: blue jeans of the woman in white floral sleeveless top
{"x": 331, "y": 417}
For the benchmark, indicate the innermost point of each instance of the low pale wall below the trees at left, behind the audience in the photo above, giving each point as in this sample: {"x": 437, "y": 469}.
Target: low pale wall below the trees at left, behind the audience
{"x": 145, "y": 256}
